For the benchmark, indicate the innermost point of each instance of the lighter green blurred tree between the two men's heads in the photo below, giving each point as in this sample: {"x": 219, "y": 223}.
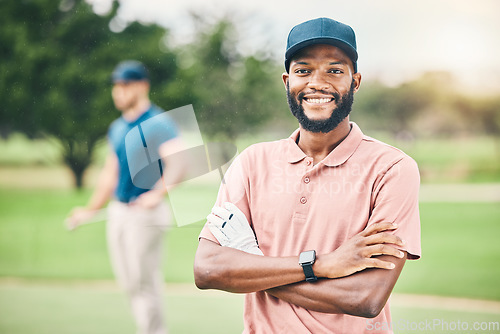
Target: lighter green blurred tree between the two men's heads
{"x": 231, "y": 93}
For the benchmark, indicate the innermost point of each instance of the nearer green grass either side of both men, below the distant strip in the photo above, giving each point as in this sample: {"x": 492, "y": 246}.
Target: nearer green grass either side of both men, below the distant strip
{"x": 460, "y": 258}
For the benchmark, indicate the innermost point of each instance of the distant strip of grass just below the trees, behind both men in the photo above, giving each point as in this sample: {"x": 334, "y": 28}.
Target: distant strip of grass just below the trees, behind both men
{"x": 464, "y": 159}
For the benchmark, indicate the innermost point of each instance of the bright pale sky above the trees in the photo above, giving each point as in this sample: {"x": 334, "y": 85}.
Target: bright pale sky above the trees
{"x": 397, "y": 39}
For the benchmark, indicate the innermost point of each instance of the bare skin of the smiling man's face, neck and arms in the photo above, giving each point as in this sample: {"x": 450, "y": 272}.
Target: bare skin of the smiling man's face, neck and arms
{"x": 358, "y": 277}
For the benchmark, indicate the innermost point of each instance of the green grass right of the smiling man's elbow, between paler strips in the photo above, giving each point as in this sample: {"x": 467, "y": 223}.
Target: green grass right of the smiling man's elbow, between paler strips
{"x": 460, "y": 250}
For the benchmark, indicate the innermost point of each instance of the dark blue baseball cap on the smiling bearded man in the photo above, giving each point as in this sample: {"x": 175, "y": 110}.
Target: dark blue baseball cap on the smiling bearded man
{"x": 321, "y": 31}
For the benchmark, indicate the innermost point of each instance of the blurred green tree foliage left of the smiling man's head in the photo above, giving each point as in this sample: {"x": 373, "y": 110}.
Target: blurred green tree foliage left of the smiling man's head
{"x": 56, "y": 58}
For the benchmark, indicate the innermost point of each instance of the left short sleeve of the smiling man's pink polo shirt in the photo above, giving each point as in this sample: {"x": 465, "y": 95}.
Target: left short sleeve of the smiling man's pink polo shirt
{"x": 234, "y": 188}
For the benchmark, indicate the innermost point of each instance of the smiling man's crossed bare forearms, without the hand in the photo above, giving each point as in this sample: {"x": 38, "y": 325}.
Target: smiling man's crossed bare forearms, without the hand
{"x": 361, "y": 294}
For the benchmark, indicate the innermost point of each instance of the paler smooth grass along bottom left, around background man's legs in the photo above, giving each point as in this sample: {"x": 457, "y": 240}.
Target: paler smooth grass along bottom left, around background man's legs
{"x": 43, "y": 308}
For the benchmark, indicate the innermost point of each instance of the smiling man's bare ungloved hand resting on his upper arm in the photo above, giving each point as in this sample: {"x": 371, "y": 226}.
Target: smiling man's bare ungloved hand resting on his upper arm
{"x": 359, "y": 252}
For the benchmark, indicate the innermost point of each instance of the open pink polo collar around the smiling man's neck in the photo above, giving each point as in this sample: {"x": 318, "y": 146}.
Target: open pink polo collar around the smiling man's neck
{"x": 336, "y": 157}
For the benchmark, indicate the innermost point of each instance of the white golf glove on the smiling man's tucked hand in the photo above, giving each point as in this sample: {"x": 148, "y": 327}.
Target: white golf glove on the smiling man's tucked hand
{"x": 231, "y": 228}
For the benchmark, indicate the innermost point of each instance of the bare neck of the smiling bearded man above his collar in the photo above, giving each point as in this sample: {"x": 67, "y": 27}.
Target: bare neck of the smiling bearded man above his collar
{"x": 318, "y": 145}
